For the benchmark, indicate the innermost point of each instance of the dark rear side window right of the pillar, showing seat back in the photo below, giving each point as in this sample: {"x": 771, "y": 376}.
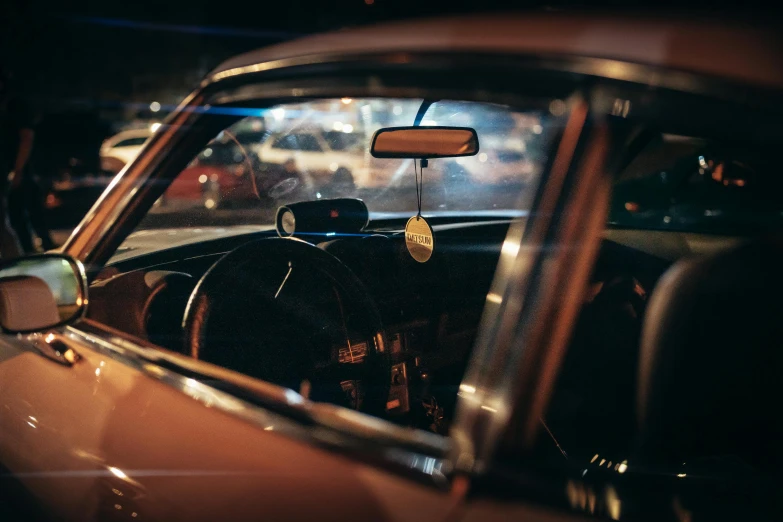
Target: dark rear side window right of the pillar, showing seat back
{"x": 683, "y": 212}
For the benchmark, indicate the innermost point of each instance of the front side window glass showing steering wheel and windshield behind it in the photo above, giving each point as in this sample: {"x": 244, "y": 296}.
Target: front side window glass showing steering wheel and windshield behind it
{"x": 231, "y": 192}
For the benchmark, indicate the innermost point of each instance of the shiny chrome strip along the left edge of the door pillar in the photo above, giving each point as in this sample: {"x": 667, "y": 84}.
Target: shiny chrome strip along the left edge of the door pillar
{"x": 485, "y": 396}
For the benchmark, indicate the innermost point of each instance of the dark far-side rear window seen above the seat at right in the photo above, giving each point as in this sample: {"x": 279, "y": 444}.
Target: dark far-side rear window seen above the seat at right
{"x": 695, "y": 185}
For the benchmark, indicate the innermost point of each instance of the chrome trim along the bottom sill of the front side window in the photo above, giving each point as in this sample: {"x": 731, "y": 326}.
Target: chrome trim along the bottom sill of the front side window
{"x": 421, "y": 454}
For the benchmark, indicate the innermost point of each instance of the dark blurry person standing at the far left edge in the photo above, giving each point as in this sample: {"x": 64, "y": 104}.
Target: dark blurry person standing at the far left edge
{"x": 23, "y": 195}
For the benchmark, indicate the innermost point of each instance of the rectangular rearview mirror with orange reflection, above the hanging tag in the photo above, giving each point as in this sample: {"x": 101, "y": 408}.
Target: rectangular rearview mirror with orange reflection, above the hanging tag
{"x": 424, "y": 142}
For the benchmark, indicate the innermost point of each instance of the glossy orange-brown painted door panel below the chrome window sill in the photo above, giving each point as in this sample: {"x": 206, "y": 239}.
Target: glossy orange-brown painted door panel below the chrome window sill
{"x": 108, "y": 440}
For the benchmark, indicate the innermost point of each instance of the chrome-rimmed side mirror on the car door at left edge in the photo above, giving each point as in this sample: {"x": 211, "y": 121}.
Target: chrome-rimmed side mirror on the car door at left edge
{"x": 39, "y": 292}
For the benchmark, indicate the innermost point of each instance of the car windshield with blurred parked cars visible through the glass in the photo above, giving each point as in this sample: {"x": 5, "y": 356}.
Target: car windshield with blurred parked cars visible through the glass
{"x": 321, "y": 149}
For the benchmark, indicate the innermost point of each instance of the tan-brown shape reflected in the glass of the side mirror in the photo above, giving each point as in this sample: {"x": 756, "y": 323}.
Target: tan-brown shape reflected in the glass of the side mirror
{"x": 26, "y": 302}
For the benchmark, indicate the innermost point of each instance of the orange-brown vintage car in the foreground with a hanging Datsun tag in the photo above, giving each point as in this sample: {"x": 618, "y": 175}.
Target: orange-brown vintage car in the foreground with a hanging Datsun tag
{"x": 423, "y": 352}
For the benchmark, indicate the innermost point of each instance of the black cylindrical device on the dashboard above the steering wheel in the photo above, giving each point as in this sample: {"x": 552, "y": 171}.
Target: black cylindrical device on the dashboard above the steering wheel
{"x": 325, "y": 216}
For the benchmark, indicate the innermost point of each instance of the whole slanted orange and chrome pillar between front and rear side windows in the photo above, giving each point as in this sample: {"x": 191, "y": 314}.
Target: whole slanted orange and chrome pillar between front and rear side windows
{"x": 527, "y": 322}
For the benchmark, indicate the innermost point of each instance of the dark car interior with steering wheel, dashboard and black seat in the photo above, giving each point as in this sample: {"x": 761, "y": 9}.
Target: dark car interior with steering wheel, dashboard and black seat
{"x": 334, "y": 293}
